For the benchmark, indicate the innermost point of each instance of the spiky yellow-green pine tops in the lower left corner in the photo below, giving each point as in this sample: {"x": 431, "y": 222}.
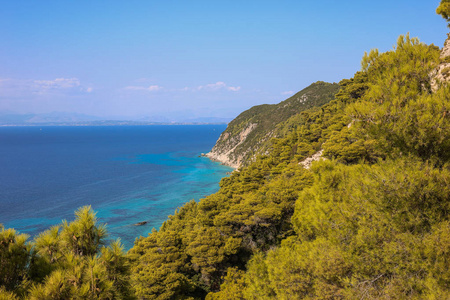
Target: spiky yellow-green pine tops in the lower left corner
{"x": 68, "y": 261}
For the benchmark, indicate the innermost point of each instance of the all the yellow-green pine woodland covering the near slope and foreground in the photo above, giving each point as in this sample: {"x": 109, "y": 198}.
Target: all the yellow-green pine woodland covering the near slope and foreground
{"x": 372, "y": 221}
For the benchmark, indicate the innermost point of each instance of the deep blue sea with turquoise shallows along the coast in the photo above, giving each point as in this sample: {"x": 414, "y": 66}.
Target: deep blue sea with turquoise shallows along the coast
{"x": 128, "y": 174}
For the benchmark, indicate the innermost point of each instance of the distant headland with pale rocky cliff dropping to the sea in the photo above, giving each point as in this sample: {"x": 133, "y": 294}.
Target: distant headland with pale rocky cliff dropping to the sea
{"x": 251, "y": 132}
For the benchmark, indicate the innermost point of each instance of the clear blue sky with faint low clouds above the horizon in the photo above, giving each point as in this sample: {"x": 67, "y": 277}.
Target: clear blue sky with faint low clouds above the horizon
{"x": 173, "y": 60}
